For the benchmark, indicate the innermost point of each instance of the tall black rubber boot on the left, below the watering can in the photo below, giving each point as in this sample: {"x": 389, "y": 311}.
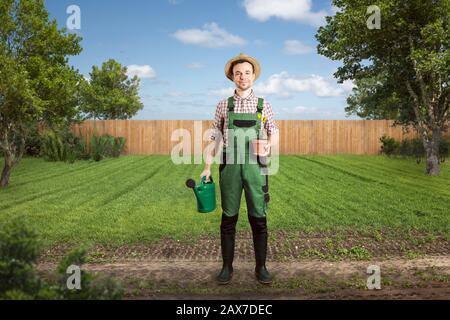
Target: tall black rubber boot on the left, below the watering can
{"x": 227, "y": 237}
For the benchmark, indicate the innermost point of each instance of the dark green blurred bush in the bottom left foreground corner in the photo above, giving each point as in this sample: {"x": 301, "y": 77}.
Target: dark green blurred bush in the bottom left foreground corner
{"x": 19, "y": 250}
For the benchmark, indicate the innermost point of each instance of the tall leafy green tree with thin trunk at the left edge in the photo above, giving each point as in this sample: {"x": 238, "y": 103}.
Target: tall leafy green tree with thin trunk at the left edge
{"x": 36, "y": 83}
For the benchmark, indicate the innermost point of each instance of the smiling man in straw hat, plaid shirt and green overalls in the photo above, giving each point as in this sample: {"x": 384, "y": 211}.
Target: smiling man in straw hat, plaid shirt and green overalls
{"x": 243, "y": 112}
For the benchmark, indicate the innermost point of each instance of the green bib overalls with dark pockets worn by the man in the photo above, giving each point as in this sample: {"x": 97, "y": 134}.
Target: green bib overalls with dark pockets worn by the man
{"x": 236, "y": 175}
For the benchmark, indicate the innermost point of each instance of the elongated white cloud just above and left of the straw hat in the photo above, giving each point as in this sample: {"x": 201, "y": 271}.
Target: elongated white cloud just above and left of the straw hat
{"x": 211, "y": 36}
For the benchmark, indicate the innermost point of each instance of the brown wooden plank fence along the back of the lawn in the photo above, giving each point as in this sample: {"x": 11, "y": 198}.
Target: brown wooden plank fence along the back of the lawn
{"x": 146, "y": 137}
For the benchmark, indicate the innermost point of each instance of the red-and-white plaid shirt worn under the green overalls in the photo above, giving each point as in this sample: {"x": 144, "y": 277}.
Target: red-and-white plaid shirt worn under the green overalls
{"x": 241, "y": 105}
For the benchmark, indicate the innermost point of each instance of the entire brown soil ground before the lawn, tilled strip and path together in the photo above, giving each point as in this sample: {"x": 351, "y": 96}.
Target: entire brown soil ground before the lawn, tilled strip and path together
{"x": 304, "y": 266}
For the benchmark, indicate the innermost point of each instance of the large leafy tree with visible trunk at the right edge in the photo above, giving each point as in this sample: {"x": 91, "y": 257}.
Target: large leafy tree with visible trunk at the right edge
{"x": 401, "y": 70}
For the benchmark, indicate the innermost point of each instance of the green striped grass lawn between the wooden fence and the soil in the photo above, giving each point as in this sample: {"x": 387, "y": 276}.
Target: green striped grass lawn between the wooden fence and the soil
{"x": 136, "y": 199}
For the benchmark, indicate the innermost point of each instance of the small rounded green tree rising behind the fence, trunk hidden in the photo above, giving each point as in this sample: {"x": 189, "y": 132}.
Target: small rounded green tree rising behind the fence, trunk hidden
{"x": 110, "y": 94}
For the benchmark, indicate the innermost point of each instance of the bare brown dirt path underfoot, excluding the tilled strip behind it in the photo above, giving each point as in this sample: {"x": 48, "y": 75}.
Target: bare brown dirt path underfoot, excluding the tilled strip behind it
{"x": 425, "y": 278}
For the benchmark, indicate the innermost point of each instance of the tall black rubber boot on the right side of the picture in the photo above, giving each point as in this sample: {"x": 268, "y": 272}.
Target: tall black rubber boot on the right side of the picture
{"x": 259, "y": 230}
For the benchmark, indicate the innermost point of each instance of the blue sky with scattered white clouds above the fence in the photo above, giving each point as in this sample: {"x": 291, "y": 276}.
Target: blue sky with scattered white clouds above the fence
{"x": 179, "y": 49}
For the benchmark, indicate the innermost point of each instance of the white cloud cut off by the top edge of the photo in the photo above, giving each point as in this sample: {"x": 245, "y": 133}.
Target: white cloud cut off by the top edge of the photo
{"x": 296, "y": 10}
